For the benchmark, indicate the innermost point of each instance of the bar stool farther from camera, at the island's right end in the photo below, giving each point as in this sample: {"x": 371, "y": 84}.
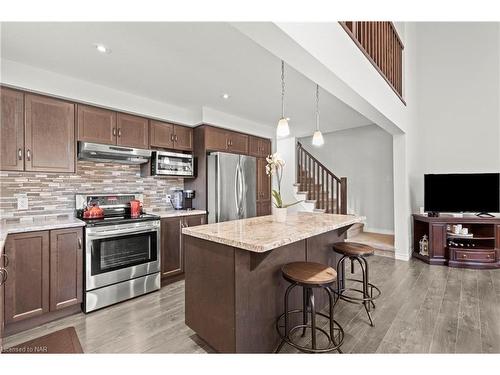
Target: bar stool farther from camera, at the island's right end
{"x": 355, "y": 252}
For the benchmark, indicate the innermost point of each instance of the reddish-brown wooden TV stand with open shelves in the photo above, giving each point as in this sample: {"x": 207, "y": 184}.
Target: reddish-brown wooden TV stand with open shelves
{"x": 480, "y": 251}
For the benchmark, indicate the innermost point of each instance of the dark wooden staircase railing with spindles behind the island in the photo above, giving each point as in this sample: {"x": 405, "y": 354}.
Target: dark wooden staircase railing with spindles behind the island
{"x": 321, "y": 185}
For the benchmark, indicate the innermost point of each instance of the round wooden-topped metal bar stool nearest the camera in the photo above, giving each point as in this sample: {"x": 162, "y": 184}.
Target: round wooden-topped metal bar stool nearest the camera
{"x": 310, "y": 276}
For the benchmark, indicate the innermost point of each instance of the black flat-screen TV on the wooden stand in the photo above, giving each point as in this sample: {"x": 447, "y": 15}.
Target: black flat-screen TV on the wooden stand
{"x": 474, "y": 192}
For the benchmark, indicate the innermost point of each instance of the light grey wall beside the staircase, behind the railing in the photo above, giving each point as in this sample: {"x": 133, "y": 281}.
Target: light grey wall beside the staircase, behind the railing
{"x": 364, "y": 156}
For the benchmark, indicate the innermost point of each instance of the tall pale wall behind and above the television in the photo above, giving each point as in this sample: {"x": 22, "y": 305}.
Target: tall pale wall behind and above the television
{"x": 457, "y": 121}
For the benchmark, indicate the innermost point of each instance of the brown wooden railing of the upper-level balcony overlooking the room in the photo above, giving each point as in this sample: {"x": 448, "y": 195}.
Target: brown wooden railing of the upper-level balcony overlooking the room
{"x": 381, "y": 44}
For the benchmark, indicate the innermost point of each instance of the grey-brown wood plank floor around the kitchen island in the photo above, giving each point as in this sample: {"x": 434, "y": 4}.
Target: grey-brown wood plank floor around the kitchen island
{"x": 422, "y": 309}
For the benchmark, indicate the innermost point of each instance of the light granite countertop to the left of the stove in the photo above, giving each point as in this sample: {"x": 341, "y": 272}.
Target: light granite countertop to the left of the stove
{"x": 33, "y": 224}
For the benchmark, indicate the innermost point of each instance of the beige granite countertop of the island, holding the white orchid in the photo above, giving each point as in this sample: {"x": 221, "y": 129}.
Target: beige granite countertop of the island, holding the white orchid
{"x": 261, "y": 234}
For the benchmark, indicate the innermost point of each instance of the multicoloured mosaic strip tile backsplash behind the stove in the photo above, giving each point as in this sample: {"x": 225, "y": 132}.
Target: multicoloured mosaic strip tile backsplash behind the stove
{"x": 53, "y": 193}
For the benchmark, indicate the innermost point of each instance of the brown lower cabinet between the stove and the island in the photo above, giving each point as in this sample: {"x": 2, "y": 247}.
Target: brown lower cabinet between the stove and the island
{"x": 172, "y": 252}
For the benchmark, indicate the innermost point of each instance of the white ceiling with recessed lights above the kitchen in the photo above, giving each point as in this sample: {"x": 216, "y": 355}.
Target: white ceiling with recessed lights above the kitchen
{"x": 186, "y": 64}
